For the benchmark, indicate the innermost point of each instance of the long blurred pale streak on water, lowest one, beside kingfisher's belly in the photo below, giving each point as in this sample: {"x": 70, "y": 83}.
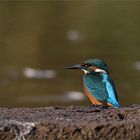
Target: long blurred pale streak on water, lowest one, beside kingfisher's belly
{"x": 61, "y": 99}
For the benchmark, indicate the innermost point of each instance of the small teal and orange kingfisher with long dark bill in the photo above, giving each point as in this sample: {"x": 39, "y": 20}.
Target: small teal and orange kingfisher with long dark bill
{"x": 98, "y": 85}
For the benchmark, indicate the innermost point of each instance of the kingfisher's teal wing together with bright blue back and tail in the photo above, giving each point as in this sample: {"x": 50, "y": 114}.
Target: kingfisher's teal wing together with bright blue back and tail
{"x": 101, "y": 87}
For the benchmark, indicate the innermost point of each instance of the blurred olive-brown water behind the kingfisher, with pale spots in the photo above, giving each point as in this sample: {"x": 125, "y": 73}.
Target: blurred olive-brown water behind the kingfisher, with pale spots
{"x": 39, "y": 38}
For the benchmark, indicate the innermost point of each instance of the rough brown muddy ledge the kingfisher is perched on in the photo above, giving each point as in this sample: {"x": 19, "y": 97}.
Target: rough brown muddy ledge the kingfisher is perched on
{"x": 73, "y": 123}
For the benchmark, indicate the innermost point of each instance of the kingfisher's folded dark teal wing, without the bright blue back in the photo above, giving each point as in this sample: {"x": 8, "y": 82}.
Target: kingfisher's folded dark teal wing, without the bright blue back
{"x": 96, "y": 88}
